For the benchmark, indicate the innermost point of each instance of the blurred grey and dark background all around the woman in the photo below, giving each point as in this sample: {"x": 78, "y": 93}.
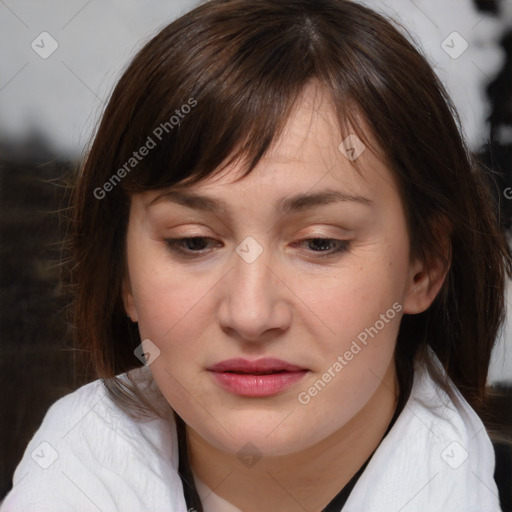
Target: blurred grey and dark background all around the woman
{"x": 58, "y": 63}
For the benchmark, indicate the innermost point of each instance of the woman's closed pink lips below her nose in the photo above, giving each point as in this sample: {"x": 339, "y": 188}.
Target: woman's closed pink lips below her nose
{"x": 259, "y": 378}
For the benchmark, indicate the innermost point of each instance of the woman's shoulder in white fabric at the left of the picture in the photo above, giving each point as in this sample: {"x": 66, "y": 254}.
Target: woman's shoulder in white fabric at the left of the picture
{"x": 89, "y": 454}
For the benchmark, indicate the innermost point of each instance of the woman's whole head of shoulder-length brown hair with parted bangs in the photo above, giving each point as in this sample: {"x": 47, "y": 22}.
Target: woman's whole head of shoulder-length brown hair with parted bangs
{"x": 239, "y": 66}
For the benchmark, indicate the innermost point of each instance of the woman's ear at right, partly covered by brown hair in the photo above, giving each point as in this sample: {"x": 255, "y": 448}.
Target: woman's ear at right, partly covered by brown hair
{"x": 426, "y": 276}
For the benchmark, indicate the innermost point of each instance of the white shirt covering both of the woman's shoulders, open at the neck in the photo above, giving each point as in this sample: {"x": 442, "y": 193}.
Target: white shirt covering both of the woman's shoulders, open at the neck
{"x": 88, "y": 455}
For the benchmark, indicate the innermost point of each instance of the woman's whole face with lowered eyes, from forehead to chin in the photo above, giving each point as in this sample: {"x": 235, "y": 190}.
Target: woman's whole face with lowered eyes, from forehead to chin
{"x": 294, "y": 262}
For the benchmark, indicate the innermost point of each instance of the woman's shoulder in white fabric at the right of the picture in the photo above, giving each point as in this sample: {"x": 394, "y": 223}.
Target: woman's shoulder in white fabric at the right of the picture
{"x": 437, "y": 456}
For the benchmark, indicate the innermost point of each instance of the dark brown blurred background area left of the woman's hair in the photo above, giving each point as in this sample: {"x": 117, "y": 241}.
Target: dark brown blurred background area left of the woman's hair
{"x": 38, "y": 364}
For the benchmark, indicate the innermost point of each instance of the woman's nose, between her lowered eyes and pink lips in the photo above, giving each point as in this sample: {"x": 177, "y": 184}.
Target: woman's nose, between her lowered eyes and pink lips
{"x": 254, "y": 303}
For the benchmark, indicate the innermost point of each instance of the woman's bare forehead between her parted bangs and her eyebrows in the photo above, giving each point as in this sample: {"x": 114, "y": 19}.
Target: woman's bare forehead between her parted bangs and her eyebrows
{"x": 312, "y": 154}
